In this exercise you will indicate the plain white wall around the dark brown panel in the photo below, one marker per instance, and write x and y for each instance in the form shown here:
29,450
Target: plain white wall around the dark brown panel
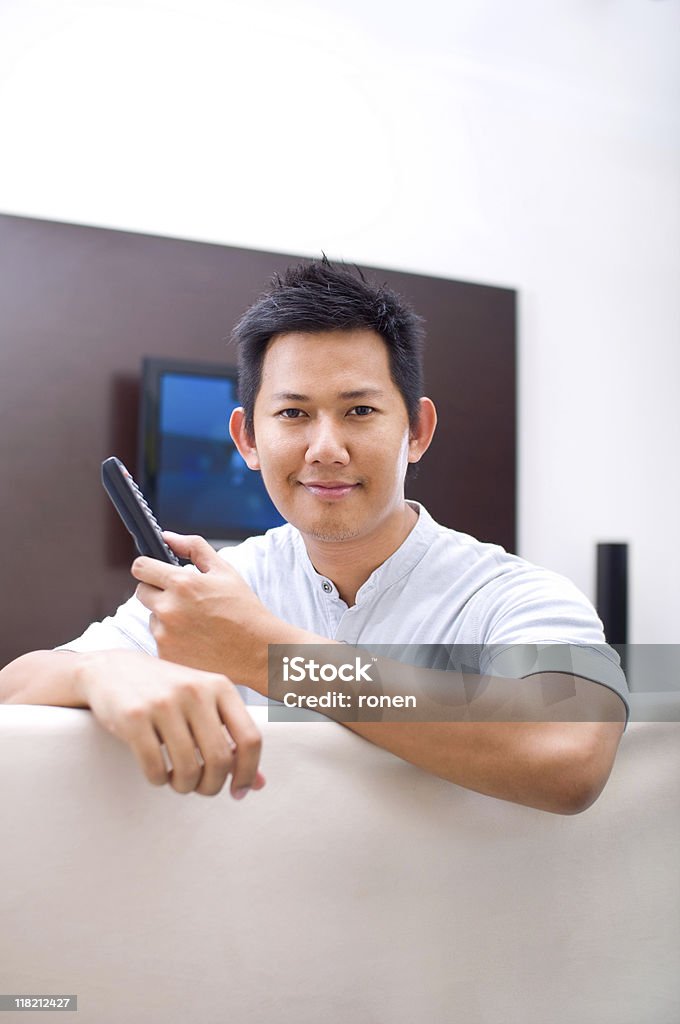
532,145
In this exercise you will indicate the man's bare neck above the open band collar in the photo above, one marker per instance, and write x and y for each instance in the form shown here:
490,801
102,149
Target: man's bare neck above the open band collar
350,564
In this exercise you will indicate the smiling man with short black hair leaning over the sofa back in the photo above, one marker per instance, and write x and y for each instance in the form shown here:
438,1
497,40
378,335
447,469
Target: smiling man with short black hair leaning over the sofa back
333,416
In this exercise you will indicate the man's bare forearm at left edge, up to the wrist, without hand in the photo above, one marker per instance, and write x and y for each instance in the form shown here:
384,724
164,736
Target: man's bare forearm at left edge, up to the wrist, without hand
45,677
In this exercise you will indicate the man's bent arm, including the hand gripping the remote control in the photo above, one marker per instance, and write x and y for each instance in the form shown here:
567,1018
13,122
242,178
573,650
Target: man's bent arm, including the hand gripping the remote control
214,621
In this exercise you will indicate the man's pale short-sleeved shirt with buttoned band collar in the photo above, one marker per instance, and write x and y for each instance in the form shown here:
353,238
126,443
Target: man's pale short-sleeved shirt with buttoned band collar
443,600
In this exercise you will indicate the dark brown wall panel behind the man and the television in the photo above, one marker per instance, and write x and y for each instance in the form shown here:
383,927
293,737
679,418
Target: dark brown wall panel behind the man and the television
79,308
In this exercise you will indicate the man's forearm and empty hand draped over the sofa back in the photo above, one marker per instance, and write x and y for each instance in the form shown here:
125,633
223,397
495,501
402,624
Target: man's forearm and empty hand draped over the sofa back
150,705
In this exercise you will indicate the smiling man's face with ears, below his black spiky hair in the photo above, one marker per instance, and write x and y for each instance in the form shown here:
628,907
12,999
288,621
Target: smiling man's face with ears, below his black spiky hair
332,436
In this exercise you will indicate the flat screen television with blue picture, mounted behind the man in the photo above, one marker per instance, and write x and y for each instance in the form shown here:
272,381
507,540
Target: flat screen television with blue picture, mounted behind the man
189,468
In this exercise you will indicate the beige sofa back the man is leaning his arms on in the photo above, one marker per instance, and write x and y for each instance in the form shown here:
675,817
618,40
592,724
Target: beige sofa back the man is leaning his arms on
354,888
